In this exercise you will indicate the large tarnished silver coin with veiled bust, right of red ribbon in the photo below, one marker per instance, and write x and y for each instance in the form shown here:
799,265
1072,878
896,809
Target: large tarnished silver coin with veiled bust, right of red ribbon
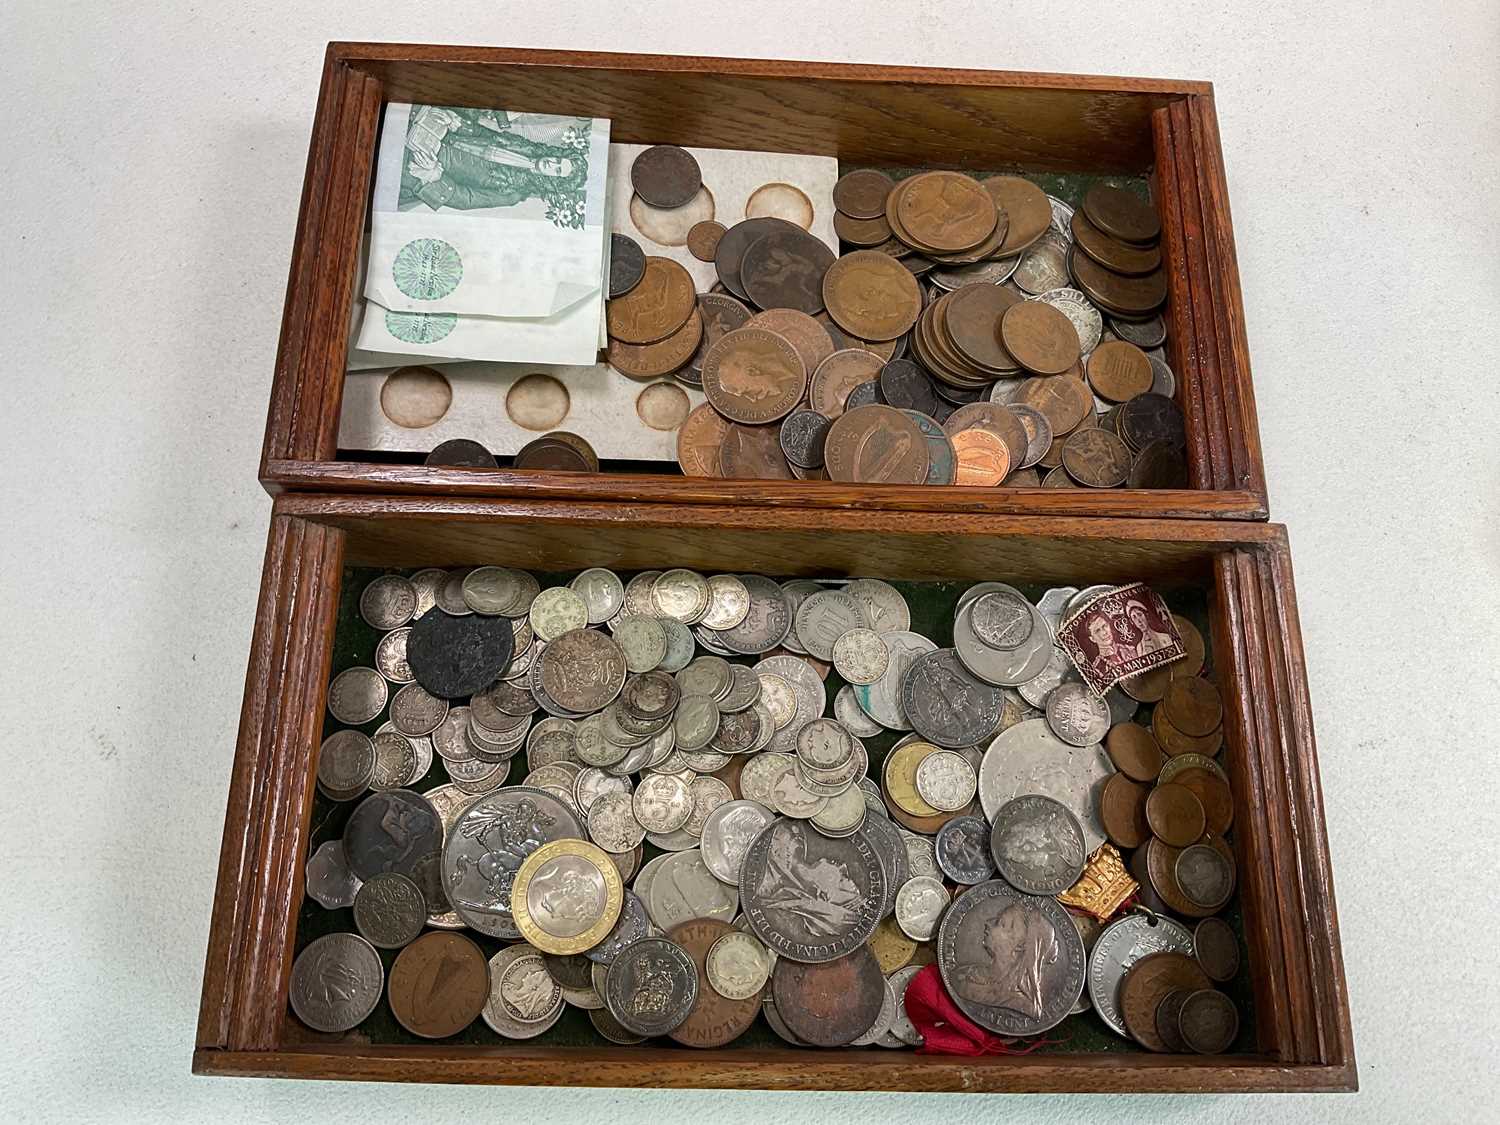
1012,962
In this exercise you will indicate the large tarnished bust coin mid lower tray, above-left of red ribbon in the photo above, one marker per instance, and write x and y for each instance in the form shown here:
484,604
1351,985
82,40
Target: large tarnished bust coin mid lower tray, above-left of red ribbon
808,896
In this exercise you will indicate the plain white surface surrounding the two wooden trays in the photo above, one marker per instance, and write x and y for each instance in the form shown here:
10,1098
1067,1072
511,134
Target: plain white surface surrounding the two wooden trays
155,160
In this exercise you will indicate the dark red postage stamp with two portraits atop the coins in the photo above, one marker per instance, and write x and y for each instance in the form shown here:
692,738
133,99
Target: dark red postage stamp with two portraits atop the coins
1121,634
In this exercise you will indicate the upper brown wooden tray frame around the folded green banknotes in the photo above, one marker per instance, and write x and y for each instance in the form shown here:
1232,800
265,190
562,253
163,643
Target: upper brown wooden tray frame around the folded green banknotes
985,121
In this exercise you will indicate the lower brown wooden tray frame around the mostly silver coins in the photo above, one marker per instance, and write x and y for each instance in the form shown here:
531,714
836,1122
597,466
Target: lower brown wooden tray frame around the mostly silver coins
1244,569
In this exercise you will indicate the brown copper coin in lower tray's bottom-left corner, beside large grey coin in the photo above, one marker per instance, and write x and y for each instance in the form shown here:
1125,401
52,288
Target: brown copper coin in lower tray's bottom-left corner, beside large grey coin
439,985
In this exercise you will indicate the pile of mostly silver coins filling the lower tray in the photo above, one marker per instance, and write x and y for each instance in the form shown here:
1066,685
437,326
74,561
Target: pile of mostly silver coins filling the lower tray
698,839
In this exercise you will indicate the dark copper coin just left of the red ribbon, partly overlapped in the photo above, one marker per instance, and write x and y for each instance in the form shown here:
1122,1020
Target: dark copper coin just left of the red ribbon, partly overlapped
833,1003
